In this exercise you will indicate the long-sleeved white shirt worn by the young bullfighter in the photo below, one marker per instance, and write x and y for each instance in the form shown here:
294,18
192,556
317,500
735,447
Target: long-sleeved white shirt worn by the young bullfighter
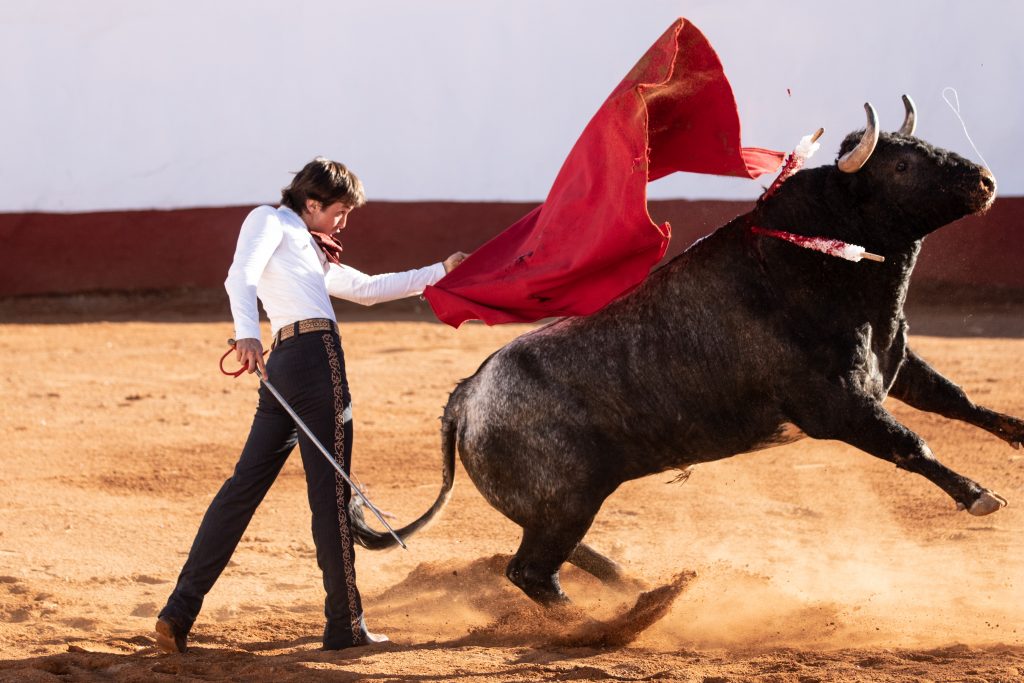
278,262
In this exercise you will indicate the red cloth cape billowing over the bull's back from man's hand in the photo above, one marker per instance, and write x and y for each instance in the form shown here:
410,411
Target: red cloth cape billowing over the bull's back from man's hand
592,240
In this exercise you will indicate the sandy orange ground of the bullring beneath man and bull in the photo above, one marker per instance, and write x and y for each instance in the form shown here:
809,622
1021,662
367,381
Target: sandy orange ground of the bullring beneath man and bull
815,562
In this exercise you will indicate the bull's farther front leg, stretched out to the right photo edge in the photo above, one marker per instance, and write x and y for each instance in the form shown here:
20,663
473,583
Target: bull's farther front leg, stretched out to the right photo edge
920,386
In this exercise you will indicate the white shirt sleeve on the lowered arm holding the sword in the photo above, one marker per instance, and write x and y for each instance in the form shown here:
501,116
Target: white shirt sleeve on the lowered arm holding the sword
261,235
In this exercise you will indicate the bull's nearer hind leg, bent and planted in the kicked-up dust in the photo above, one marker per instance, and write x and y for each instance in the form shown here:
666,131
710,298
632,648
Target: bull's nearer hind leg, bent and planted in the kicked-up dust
543,551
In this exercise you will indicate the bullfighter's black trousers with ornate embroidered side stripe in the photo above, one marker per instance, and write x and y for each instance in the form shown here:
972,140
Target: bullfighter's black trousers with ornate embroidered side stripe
309,370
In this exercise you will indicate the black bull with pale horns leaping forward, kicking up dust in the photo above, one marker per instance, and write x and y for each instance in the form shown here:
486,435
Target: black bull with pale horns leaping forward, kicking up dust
741,344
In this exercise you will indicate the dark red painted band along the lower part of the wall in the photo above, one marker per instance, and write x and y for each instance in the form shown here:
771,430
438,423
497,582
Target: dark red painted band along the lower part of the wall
47,253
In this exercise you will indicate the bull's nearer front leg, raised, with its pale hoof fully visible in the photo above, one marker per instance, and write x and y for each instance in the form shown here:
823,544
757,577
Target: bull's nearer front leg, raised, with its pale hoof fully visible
863,422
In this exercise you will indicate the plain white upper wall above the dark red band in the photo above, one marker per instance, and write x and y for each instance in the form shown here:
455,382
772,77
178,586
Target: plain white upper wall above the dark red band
129,104
